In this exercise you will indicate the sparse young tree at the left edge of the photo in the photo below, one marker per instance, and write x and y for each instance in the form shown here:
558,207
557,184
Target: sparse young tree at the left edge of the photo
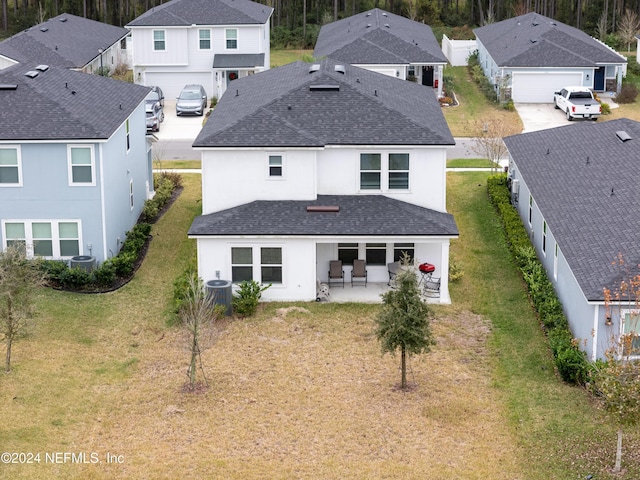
19,279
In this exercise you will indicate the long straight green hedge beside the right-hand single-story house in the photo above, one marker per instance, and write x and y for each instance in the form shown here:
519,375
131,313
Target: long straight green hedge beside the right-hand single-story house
570,360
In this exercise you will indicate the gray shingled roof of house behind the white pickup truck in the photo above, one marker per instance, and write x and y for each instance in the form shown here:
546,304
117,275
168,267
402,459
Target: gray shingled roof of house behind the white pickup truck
533,40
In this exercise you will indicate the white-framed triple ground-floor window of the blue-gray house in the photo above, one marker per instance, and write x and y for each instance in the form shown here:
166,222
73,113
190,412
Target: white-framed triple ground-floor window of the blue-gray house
44,238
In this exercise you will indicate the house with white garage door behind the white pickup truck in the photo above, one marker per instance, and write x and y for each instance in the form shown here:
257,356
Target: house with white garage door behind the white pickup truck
529,57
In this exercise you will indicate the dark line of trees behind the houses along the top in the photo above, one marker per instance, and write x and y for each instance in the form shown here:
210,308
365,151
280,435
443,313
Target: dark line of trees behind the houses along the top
295,23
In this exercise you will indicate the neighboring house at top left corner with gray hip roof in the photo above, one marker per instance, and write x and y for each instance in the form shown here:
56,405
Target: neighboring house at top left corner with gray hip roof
70,42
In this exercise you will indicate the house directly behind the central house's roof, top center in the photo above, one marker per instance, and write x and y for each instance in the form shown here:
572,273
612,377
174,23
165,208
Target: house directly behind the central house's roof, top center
385,43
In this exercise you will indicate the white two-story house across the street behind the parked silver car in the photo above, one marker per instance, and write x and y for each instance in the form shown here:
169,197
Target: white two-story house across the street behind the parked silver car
206,42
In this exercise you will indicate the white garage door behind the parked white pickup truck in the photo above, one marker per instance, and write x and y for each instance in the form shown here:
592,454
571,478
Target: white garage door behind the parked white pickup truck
538,87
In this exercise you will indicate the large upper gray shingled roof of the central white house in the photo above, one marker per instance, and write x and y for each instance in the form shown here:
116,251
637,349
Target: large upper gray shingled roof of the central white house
279,108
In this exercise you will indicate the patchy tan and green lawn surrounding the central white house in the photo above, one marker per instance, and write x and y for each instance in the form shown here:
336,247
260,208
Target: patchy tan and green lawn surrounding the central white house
301,390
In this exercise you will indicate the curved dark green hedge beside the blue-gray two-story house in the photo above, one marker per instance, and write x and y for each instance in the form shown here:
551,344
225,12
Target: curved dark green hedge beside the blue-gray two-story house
118,270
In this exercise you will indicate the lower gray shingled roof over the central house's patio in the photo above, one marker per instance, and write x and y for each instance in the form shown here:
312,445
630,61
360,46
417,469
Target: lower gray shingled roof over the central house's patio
362,215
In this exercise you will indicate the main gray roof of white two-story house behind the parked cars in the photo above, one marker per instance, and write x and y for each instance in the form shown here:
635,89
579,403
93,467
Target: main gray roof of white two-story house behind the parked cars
204,12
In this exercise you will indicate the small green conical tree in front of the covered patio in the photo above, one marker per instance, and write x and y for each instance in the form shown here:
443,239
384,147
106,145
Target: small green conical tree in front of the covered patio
403,322
